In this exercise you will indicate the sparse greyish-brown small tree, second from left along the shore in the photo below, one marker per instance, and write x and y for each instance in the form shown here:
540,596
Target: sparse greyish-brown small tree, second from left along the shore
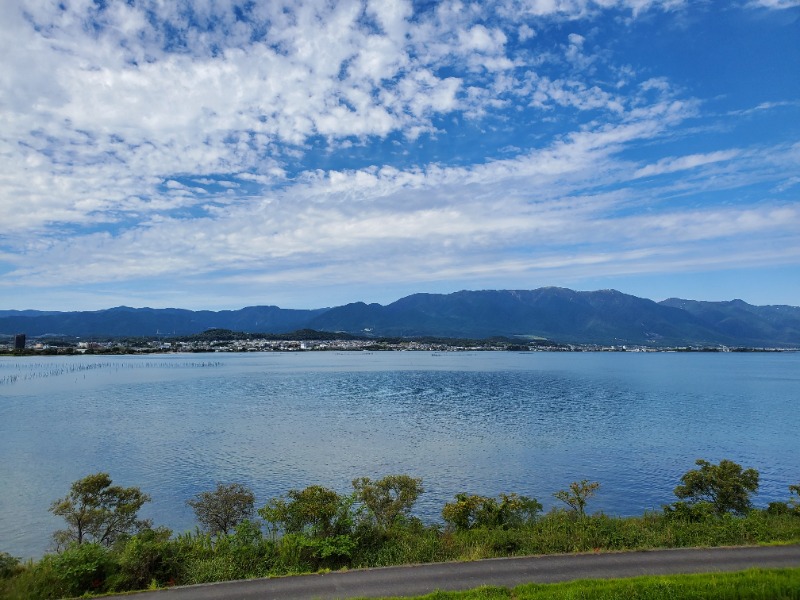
221,510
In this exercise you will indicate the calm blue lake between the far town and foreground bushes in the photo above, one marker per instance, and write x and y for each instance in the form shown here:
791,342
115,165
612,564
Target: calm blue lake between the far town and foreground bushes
480,422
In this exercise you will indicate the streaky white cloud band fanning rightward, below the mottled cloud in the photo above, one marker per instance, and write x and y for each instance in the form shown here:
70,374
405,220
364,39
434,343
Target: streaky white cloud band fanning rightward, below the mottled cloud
467,216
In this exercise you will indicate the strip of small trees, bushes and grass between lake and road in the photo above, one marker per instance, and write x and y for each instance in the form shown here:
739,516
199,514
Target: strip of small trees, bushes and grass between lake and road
106,548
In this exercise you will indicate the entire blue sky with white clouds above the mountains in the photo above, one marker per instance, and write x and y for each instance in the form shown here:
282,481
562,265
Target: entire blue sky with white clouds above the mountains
217,154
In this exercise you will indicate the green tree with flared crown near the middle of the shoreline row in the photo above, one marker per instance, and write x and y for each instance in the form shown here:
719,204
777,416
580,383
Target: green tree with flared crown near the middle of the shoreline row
389,498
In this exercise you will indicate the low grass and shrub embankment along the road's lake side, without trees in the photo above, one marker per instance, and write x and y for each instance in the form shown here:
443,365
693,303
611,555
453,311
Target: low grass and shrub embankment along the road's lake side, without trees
155,558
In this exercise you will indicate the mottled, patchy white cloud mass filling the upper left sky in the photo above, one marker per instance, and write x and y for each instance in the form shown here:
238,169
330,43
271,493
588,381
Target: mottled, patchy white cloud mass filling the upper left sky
104,117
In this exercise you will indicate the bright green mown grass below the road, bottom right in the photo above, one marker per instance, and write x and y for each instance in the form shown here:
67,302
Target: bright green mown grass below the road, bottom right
753,584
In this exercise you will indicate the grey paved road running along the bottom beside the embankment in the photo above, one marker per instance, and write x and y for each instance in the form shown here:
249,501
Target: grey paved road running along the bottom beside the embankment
423,579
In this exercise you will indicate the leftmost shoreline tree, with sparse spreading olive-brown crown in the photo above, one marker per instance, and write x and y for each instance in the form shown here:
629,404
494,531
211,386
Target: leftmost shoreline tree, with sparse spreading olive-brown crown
96,511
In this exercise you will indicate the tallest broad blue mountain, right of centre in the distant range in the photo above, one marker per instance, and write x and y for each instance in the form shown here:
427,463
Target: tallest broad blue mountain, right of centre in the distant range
603,317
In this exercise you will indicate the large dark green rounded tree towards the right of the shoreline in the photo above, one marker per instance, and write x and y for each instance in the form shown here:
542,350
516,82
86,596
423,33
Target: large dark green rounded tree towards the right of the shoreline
725,486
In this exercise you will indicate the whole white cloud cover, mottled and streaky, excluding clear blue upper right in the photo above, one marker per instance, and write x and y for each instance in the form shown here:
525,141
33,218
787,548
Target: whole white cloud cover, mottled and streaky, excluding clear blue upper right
168,139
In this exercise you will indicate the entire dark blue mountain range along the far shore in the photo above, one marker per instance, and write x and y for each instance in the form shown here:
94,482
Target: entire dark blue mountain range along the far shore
601,317
